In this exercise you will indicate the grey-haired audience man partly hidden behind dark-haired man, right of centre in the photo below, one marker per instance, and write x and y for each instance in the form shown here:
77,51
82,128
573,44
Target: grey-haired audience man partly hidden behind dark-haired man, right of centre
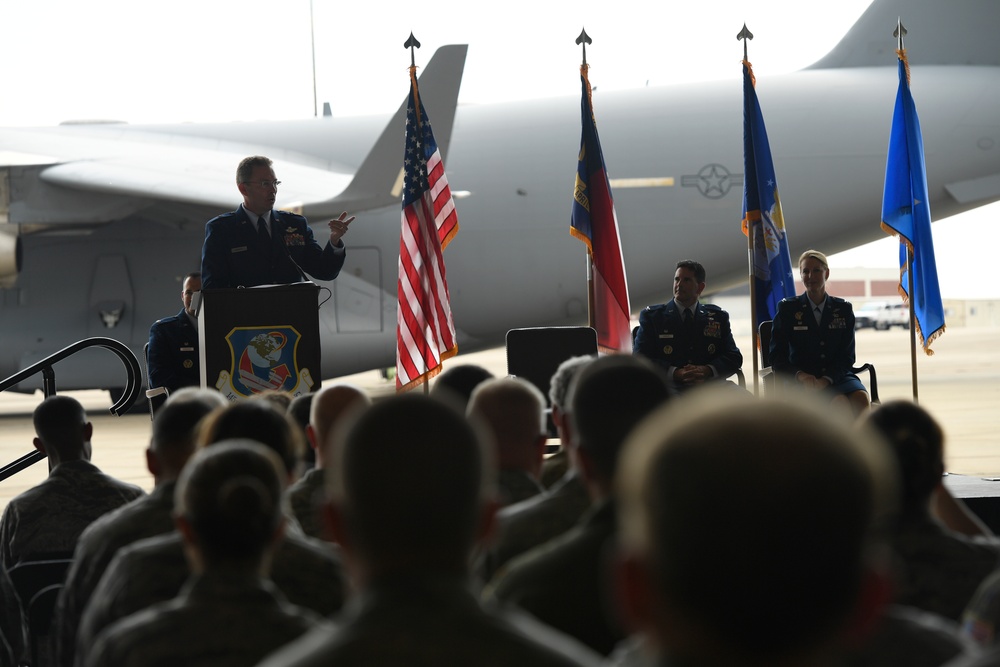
536,520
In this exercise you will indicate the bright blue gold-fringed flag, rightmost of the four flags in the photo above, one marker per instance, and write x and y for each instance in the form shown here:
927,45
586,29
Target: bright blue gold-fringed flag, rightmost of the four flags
906,212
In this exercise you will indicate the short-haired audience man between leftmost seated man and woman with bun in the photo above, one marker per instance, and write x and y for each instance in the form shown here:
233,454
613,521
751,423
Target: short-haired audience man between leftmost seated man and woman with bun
171,444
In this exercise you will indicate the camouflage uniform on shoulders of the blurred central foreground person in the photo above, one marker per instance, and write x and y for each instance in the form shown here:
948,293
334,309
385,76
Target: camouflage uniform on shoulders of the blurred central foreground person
428,621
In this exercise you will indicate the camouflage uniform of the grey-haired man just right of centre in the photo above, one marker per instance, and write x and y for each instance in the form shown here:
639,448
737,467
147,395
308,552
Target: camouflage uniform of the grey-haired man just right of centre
535,521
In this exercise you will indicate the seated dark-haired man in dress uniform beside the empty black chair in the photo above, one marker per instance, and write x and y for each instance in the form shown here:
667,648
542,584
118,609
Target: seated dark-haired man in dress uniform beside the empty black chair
692,341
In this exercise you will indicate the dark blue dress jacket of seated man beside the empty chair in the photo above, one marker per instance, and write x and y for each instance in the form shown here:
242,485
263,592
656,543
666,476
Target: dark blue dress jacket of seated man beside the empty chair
663,338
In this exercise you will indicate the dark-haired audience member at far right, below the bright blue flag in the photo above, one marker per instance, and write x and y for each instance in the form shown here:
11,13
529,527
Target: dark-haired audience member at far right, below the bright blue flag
940,568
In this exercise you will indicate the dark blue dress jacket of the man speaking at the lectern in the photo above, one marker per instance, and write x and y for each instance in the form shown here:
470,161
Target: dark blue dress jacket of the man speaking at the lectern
234,256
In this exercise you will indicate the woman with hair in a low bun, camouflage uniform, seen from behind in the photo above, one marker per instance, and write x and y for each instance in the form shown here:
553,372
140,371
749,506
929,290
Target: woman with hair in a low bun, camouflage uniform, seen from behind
228,511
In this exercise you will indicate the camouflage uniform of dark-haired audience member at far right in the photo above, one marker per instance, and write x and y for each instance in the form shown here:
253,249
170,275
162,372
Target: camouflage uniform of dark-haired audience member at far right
940,570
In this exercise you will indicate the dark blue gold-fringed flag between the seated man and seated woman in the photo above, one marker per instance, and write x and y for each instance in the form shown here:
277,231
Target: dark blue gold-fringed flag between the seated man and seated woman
772,264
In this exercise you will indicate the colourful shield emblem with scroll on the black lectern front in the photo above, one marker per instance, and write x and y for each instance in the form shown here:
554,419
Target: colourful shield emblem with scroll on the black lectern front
263,359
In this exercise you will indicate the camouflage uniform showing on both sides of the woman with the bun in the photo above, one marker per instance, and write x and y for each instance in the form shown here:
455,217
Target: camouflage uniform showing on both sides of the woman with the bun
306,571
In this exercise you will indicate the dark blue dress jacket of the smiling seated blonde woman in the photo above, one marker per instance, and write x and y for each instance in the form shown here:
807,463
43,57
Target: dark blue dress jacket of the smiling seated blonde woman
826,349
